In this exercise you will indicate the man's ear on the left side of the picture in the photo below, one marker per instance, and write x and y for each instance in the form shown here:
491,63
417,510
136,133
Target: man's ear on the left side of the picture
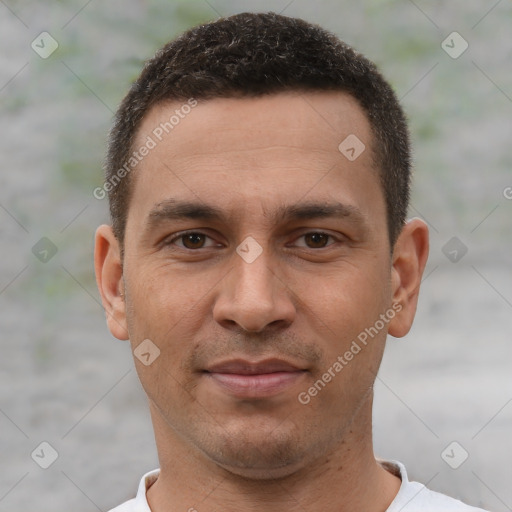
109,278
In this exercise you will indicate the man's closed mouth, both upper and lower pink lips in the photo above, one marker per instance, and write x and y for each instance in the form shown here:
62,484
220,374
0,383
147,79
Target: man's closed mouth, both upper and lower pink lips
246,379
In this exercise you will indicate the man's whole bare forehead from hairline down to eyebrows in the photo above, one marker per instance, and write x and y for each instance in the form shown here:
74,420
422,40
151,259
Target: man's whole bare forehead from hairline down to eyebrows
236,152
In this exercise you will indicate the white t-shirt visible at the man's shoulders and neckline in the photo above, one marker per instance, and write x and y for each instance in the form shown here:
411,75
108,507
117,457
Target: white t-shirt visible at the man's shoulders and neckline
412,496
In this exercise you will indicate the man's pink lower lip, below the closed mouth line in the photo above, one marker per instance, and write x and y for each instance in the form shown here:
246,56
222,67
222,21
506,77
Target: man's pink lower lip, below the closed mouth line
256,386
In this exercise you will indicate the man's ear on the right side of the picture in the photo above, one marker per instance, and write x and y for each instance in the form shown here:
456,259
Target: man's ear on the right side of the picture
409,259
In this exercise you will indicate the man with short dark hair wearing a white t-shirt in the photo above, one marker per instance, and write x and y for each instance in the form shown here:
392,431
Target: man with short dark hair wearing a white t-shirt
258,175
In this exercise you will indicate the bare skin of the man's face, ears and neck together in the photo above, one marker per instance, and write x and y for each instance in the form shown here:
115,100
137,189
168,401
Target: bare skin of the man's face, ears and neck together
319,282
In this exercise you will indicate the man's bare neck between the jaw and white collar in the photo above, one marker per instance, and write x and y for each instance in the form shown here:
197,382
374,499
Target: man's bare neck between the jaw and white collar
343,479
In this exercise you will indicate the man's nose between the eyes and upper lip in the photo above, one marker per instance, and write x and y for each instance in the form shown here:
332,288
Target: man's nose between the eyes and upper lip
253,296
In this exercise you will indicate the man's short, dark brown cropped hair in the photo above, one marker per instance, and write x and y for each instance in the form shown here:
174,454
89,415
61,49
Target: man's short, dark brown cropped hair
253,54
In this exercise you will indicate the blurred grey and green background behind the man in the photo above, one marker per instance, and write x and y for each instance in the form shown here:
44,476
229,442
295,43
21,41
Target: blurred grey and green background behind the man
443,401
